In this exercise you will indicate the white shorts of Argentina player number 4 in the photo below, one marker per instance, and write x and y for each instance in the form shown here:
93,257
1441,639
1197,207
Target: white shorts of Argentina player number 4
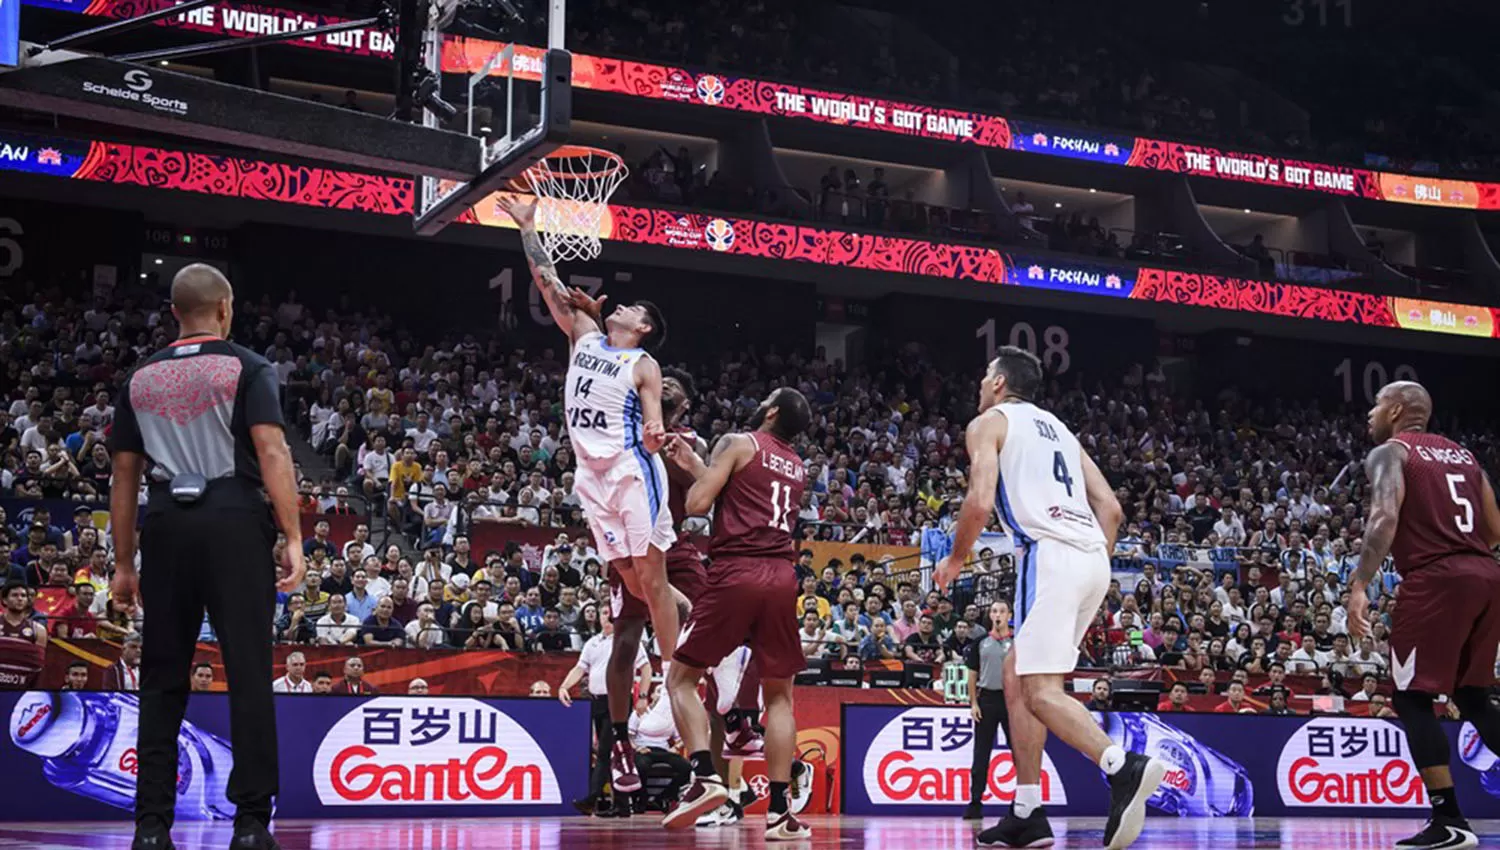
1058,593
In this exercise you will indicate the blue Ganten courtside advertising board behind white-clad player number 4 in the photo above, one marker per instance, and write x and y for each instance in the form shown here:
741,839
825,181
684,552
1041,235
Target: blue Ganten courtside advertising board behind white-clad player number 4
917,761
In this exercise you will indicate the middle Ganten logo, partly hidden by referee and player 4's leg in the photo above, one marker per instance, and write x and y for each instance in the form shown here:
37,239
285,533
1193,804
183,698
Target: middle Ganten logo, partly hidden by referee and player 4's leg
923,756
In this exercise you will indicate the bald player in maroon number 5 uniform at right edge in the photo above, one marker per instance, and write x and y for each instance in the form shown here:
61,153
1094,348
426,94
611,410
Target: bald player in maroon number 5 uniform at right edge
1433,510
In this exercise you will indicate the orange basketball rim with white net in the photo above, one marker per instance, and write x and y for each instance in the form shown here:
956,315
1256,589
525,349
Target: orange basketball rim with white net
574,185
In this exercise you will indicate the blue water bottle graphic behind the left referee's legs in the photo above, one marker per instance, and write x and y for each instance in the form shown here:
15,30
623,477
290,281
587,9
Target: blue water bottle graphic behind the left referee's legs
88,747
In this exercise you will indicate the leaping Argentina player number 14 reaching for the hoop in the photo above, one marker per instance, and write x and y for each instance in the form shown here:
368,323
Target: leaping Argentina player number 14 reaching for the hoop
613,410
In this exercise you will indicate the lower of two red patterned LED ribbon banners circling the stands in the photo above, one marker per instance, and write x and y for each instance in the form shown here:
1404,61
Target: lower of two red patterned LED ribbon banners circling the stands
308,187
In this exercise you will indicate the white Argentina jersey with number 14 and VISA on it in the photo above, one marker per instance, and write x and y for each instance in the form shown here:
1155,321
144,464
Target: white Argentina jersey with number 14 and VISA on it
601,404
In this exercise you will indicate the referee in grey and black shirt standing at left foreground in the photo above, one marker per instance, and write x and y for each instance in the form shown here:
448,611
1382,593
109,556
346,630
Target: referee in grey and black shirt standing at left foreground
203,422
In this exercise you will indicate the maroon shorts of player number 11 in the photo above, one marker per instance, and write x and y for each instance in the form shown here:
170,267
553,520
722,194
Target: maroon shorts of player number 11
751,600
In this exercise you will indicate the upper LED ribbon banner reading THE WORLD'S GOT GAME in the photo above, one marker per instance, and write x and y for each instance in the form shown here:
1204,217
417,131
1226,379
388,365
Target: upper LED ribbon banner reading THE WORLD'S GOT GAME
841,109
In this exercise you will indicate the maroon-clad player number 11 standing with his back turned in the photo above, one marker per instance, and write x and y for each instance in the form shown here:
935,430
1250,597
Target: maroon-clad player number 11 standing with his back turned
755,483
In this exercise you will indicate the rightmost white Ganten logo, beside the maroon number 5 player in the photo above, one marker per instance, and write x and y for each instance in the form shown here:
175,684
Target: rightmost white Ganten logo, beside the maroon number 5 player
1348,762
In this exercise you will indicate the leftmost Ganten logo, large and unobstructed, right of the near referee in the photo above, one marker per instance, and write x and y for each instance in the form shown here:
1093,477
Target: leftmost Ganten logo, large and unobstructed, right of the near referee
421,752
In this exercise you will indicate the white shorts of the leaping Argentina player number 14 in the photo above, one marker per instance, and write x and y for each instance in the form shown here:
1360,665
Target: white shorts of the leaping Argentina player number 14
626,506
